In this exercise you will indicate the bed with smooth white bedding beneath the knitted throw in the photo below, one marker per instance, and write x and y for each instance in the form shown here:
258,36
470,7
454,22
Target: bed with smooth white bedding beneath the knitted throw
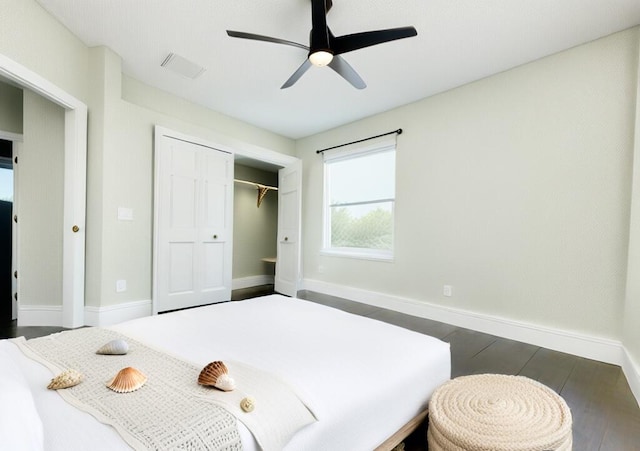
363,381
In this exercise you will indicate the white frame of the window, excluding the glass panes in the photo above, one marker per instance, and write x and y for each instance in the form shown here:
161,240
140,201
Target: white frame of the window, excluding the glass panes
355,252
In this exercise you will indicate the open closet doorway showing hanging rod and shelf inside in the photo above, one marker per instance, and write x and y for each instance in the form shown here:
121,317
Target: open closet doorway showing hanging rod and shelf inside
255,228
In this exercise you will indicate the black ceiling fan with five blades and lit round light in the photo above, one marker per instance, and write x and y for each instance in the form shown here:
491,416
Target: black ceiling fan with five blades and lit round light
325,49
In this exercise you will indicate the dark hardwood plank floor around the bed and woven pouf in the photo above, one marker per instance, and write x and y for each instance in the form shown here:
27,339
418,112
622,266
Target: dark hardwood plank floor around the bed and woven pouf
606,416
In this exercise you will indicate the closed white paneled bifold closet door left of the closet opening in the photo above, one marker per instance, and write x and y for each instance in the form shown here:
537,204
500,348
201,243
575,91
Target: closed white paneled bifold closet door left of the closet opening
195,224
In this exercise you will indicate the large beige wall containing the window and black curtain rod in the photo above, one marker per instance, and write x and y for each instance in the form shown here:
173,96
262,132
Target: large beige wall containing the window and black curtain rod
515,190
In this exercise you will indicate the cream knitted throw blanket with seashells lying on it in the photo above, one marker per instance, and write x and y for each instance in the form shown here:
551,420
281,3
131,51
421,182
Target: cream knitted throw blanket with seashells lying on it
171,411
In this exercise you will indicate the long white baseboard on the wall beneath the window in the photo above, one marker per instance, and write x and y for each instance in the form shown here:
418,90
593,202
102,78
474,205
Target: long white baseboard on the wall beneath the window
596,348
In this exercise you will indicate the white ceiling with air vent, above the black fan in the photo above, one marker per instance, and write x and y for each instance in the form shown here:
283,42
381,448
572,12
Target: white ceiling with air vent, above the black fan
458,41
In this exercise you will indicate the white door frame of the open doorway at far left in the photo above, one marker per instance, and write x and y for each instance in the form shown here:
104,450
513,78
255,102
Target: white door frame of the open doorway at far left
75,193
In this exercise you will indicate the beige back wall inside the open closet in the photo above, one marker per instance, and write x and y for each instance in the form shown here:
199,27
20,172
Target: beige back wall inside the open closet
254,229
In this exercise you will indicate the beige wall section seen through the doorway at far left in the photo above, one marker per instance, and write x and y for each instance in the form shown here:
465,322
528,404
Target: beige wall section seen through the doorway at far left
40,202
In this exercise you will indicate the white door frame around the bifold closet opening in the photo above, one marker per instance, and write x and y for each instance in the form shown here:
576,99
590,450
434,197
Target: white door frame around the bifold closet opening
236,148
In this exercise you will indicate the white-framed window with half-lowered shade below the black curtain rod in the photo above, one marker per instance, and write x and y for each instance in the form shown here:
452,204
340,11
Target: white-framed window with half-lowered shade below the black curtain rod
359,202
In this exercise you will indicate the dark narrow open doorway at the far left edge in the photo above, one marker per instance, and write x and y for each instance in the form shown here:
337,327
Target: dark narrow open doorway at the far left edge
7,309
